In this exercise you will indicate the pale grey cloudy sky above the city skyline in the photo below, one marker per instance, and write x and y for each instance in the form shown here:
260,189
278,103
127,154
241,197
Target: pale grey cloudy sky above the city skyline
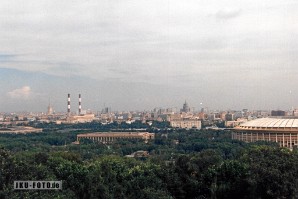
142,54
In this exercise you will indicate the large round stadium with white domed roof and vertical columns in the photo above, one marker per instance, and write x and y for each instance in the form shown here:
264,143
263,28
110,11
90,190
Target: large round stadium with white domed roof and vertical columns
281,130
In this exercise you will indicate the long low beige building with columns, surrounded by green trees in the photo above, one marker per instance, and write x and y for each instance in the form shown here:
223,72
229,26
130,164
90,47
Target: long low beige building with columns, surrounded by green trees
110,137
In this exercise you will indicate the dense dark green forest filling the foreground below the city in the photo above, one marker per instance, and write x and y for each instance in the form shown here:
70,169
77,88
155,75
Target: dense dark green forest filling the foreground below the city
181,164
